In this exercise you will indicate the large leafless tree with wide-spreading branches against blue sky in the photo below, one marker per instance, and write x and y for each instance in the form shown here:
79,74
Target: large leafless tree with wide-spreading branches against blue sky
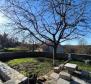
51,20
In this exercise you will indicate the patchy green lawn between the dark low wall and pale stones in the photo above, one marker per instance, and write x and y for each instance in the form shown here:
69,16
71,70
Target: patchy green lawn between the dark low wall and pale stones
39,65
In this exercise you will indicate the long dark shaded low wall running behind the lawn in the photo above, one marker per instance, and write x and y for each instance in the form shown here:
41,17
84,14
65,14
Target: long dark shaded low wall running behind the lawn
4,56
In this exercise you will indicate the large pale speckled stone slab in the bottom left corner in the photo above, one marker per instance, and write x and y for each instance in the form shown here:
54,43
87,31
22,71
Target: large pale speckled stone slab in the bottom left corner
10,75
